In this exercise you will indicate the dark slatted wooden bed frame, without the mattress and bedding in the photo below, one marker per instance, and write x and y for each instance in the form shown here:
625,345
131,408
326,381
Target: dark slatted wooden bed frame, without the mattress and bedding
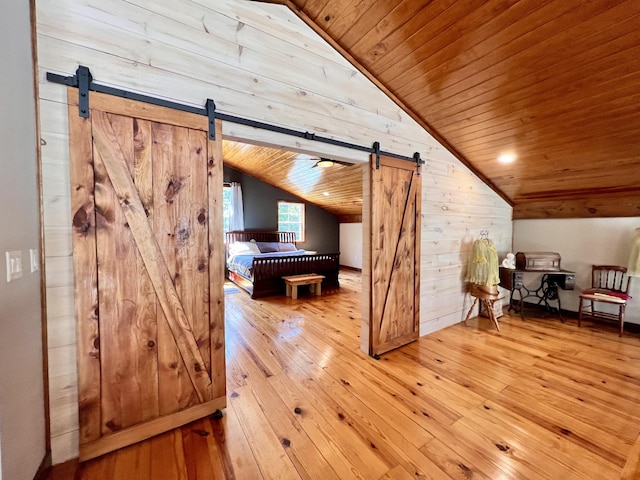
267,273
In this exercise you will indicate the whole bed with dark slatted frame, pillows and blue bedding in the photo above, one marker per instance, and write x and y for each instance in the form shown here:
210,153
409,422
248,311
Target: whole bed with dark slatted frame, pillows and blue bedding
257,261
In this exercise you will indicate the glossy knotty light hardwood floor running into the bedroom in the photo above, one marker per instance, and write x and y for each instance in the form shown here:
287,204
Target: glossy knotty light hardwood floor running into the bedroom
539,400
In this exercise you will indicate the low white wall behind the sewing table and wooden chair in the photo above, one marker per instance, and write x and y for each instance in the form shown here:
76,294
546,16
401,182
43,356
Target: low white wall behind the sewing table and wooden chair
581,243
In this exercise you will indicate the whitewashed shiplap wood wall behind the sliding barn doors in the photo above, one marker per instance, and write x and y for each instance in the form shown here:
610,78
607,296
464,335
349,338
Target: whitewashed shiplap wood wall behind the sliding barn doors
257,61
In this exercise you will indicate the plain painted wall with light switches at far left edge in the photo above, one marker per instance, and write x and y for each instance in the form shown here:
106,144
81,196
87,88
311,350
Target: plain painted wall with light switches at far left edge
22,429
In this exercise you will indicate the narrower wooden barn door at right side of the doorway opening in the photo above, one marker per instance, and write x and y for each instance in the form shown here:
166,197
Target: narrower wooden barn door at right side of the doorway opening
394,316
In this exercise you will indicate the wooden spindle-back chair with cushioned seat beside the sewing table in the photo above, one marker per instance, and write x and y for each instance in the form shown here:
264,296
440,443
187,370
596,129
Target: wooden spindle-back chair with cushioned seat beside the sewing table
610,286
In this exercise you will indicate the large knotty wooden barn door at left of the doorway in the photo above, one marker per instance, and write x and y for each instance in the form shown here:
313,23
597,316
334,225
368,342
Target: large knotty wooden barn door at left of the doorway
149,273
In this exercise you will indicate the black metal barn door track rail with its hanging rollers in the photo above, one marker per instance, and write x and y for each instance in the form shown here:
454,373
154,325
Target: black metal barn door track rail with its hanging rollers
83,81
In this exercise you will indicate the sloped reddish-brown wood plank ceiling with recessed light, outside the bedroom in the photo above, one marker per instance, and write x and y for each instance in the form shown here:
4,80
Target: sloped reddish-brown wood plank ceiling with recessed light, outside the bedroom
554,83
